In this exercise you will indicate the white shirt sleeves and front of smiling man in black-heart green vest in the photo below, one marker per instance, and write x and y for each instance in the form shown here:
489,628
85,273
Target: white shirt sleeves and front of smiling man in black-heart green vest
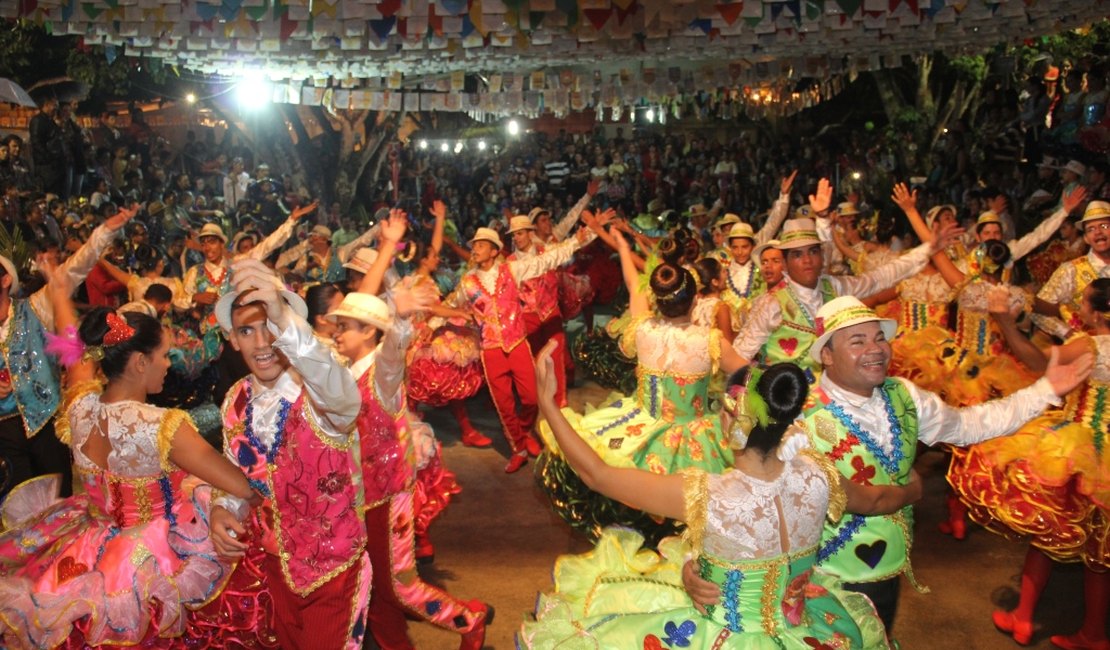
937,422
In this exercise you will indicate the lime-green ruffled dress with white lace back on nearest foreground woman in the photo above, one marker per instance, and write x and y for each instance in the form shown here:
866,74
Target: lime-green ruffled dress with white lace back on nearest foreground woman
624,597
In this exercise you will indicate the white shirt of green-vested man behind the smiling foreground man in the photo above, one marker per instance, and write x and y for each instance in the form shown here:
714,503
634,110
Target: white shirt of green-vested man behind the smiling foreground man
766,316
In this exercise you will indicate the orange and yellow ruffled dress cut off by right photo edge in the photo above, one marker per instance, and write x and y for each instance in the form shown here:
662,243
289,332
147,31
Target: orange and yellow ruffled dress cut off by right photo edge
1050,483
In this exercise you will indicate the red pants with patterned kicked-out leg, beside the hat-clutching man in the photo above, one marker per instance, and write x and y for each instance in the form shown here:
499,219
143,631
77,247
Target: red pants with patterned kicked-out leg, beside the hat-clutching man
398,588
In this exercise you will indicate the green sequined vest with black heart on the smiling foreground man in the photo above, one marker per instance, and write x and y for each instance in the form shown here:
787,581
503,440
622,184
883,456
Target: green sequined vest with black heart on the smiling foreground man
859,549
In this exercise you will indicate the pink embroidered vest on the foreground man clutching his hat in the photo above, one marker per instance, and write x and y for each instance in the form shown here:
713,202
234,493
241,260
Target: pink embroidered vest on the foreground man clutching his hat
312,516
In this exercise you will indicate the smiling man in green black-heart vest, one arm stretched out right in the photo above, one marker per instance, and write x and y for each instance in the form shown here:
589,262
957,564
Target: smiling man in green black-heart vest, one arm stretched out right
870,425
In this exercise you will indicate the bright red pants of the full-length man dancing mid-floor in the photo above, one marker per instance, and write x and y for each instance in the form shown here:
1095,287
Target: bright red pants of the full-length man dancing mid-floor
504,371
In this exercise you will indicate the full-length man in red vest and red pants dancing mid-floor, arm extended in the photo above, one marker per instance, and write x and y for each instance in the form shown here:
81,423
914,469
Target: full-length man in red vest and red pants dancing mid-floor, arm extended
491,290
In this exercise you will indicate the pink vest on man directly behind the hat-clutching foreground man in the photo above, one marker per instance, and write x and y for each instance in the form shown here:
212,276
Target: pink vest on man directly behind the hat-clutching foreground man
384,441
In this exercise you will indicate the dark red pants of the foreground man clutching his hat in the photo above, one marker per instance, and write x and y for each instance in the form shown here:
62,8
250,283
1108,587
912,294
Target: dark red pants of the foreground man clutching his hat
330,618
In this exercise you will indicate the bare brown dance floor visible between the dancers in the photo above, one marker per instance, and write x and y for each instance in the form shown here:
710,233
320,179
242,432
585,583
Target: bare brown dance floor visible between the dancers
499,539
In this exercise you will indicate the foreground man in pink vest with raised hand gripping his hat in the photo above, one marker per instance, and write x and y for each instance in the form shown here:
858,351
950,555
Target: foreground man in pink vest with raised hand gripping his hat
290,428
